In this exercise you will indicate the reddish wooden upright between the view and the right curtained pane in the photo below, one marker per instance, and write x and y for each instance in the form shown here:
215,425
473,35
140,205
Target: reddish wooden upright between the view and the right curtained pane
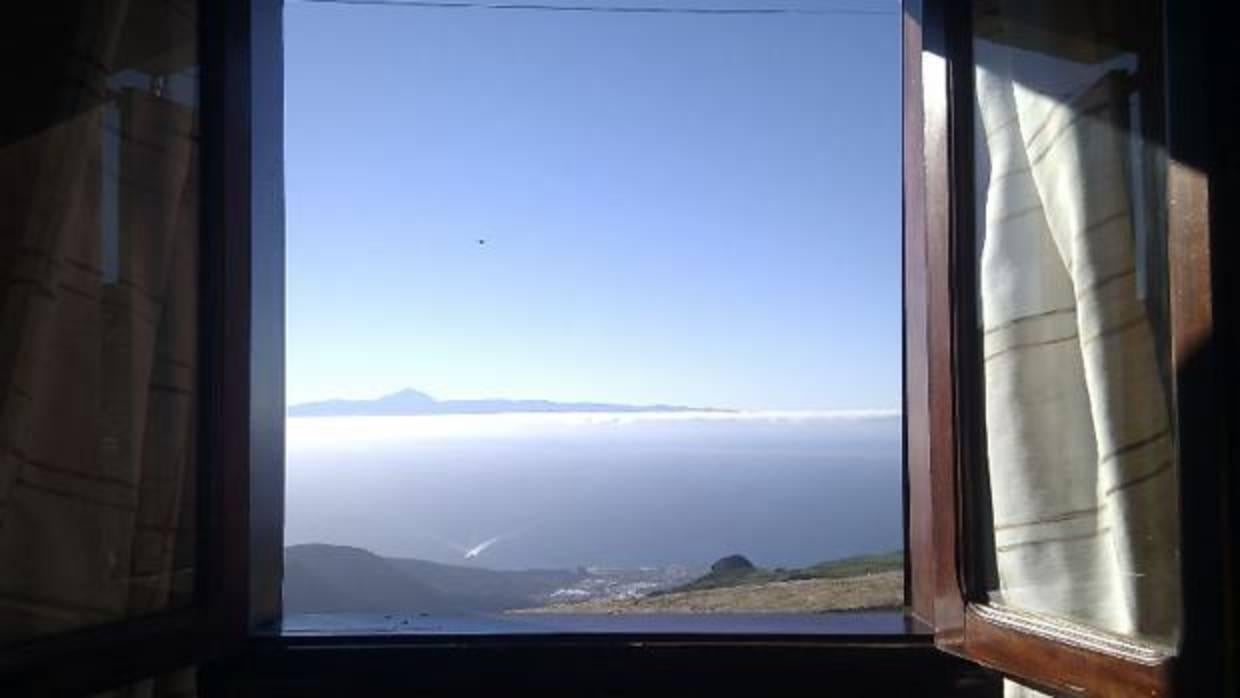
933,470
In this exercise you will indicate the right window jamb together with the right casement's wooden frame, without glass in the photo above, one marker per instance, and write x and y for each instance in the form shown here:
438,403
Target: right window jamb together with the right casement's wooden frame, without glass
945,461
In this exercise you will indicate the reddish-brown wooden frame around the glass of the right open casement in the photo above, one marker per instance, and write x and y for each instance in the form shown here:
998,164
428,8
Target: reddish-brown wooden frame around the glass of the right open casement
1201,156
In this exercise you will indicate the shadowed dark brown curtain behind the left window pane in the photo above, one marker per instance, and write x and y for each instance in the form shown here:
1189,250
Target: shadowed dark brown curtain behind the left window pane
99,332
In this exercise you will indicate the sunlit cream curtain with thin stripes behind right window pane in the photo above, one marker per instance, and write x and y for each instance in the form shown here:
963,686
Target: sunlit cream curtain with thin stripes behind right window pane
1079,435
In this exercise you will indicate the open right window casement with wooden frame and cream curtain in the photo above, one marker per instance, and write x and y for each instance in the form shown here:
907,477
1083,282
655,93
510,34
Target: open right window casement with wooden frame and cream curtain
1065,370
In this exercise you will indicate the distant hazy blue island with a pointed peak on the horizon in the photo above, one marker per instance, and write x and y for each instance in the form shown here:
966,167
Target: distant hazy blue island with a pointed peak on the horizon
411,402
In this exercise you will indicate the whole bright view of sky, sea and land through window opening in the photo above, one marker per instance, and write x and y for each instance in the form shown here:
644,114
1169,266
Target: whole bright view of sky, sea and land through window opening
616,325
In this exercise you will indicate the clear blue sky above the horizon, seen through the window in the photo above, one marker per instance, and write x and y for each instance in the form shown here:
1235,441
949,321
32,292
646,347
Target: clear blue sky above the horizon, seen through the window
679,209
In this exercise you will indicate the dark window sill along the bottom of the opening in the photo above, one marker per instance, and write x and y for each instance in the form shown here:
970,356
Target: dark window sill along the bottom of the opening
846,654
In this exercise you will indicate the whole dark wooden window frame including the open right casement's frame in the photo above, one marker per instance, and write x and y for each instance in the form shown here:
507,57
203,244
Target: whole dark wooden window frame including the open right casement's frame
240,575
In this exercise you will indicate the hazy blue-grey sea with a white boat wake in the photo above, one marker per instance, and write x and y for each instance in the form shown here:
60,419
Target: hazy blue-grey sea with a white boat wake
600,490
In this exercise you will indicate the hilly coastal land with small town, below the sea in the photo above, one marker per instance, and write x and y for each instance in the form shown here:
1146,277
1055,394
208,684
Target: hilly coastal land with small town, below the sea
324,580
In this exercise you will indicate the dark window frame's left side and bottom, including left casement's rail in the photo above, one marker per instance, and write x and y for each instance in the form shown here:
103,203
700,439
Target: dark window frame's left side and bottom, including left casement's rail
228,633
